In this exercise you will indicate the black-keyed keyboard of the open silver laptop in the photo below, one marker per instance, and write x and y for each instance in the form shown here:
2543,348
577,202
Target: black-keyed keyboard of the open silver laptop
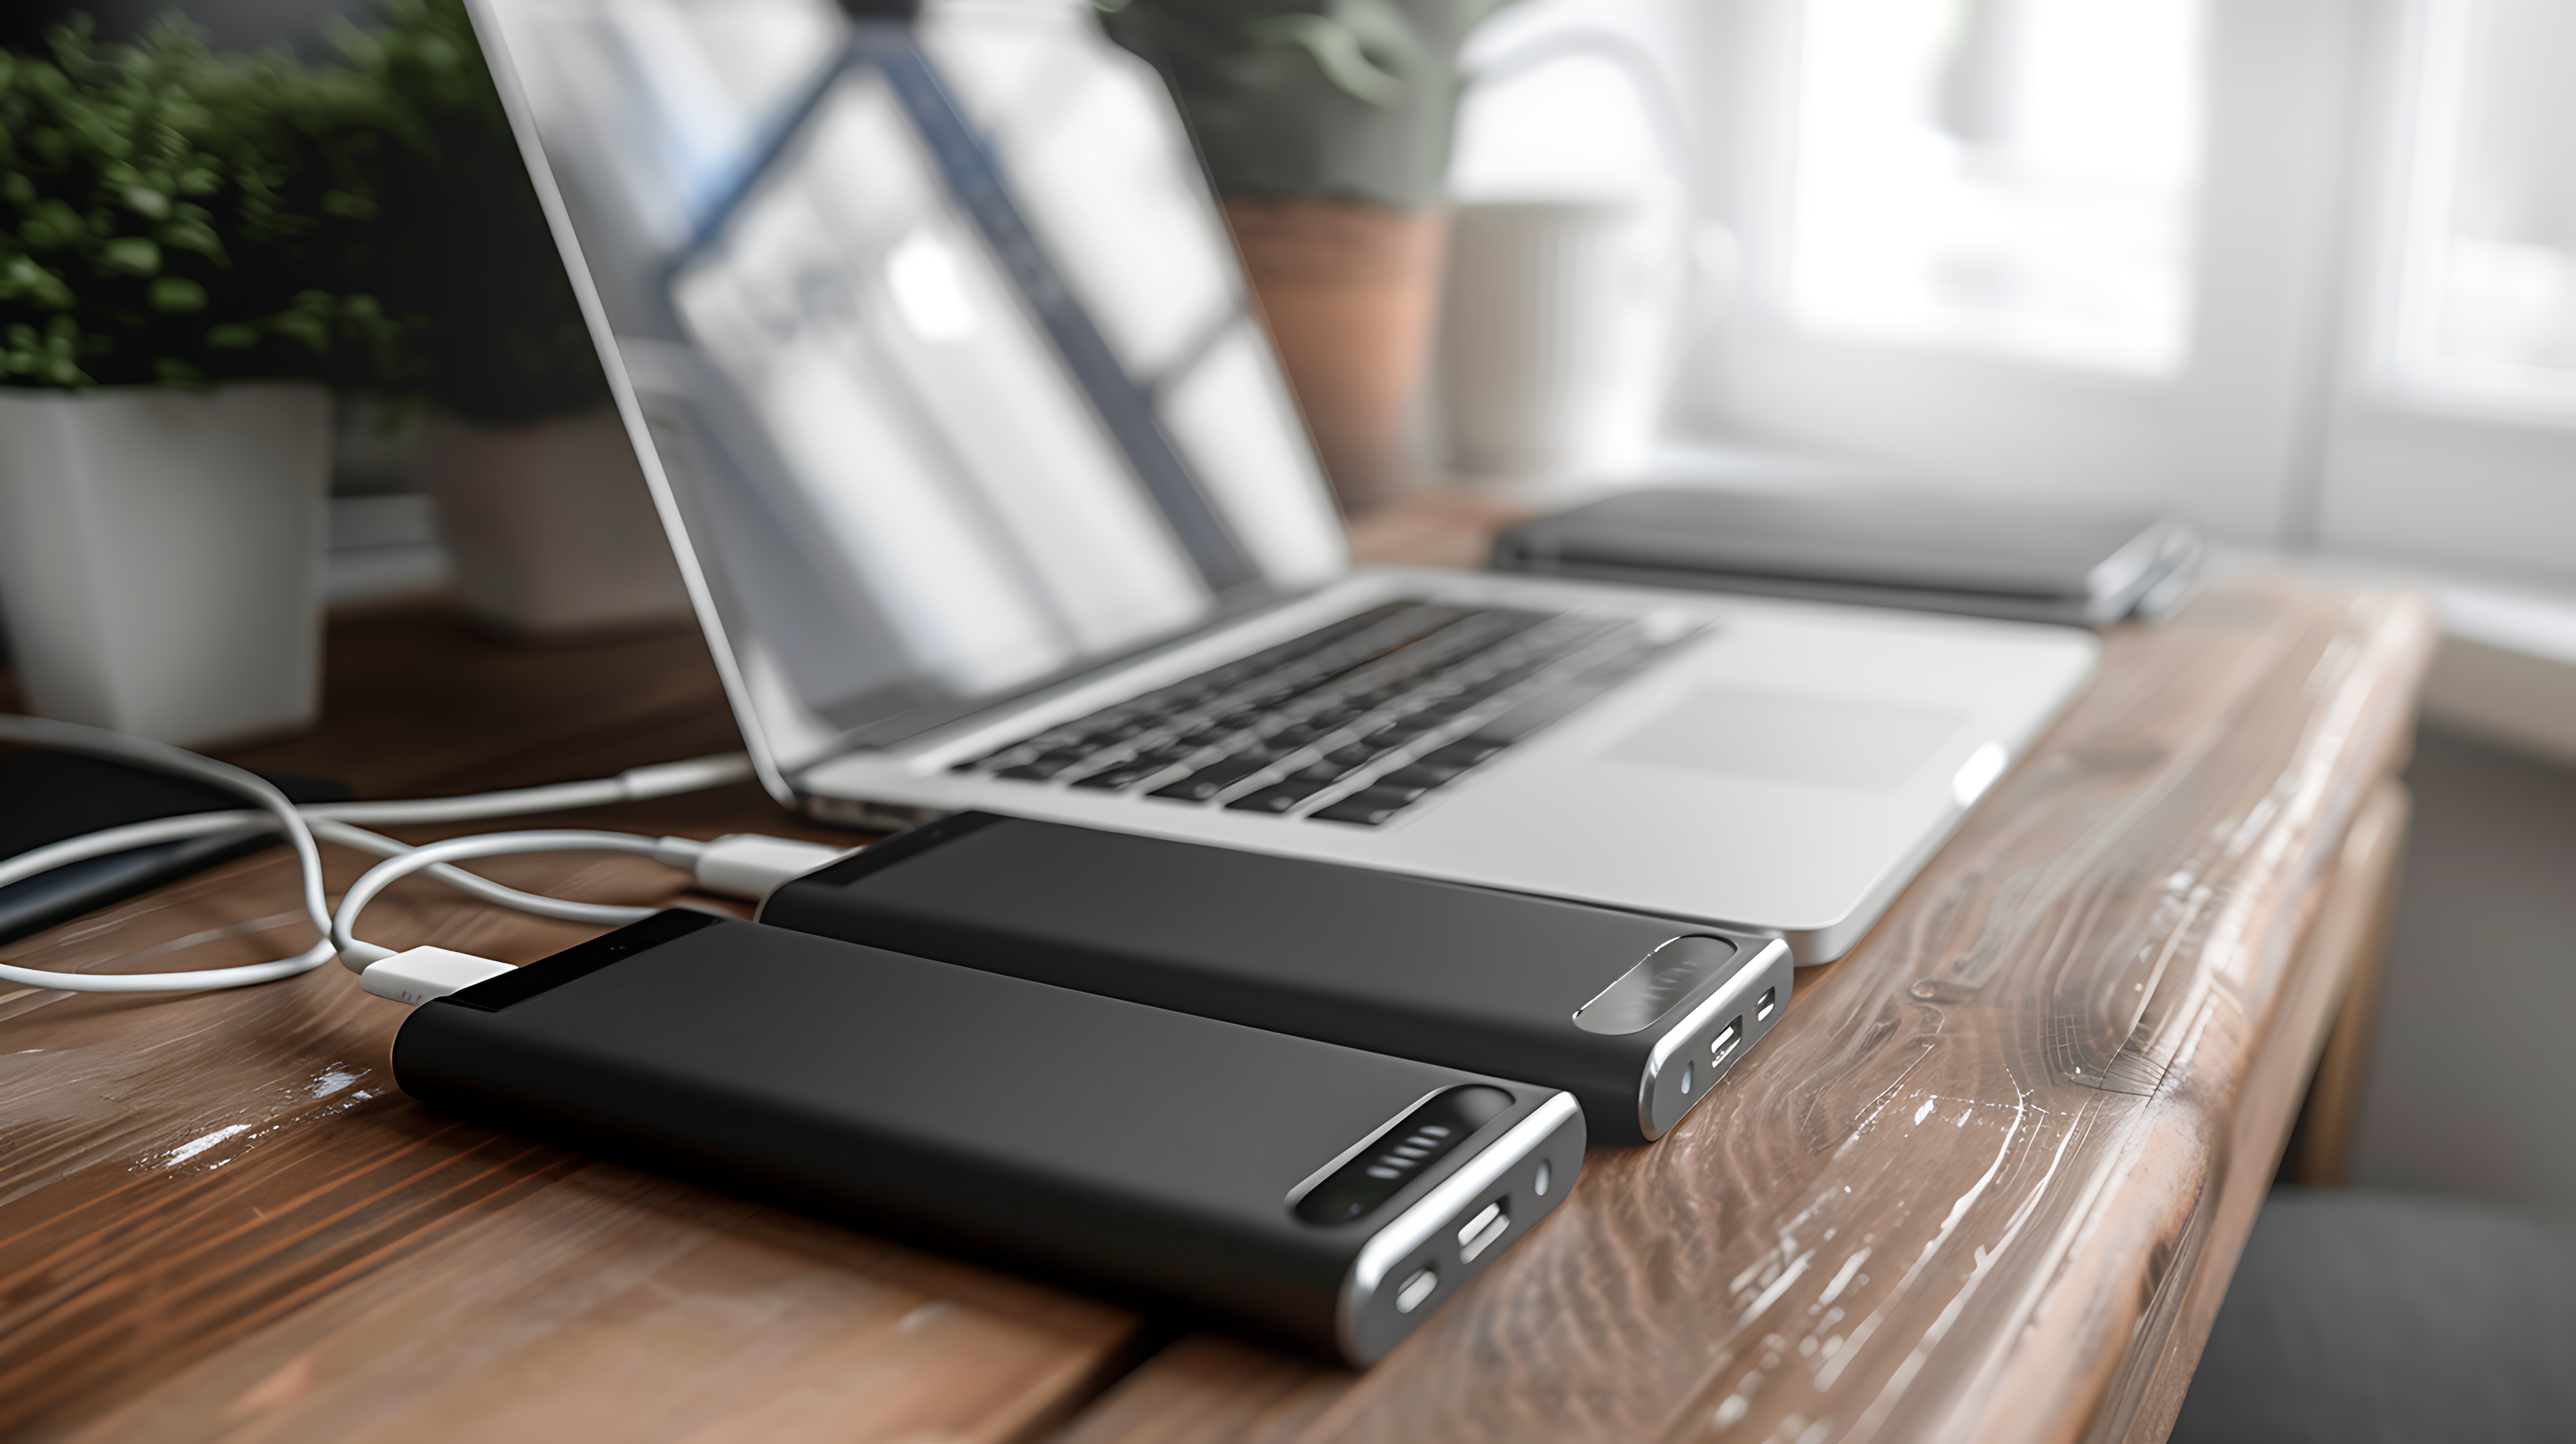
1349,723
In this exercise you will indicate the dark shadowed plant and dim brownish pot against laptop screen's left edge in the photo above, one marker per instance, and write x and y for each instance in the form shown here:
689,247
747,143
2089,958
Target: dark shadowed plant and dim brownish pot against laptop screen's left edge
537,486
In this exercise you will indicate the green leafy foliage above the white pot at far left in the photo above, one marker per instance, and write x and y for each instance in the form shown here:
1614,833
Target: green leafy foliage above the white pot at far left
182,218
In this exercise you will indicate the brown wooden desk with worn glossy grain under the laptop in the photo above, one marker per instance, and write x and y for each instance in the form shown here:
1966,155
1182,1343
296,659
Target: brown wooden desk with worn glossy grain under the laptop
1987,1182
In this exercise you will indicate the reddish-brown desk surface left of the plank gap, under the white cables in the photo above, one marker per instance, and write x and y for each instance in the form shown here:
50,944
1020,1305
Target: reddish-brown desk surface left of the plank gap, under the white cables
218,1221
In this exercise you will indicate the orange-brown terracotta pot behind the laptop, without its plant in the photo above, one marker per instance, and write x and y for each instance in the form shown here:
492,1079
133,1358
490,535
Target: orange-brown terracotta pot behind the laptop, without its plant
1351,295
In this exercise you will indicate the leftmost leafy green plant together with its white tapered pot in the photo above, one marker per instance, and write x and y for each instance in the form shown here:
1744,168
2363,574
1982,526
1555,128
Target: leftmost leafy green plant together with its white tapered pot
174,241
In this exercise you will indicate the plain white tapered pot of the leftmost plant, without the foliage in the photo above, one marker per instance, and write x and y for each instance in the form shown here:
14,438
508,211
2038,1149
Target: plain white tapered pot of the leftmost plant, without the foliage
161,556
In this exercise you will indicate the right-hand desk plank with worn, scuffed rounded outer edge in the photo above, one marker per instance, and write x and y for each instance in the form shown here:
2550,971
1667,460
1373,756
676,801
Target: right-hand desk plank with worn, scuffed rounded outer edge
1964,1185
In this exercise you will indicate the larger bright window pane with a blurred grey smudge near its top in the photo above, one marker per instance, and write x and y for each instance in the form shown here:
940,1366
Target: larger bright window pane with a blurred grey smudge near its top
2000,177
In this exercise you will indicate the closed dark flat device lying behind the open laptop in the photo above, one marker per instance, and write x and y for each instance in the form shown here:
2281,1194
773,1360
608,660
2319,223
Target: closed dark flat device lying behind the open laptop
1874,551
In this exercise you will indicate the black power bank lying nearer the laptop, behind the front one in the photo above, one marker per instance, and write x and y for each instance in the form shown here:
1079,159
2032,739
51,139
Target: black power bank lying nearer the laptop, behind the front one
1632,1015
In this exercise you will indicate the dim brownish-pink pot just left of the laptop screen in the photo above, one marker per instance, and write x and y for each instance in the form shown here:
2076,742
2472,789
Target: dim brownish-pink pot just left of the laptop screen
550,525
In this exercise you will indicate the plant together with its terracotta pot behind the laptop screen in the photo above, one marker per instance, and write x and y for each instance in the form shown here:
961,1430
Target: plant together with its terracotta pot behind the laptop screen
1325,128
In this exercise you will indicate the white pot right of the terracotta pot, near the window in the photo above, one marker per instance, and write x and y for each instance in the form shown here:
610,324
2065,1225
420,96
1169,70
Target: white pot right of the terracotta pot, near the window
1557,334
